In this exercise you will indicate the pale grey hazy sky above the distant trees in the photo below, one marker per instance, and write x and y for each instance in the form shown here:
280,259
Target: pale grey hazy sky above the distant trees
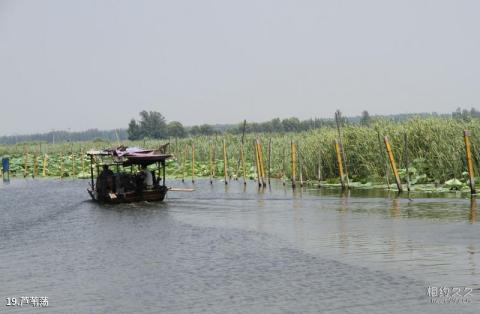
96,64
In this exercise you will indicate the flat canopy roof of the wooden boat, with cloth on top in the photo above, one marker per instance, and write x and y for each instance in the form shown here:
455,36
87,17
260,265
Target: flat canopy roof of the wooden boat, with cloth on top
132,155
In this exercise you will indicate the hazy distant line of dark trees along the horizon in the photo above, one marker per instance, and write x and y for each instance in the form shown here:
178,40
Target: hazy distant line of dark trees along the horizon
153,124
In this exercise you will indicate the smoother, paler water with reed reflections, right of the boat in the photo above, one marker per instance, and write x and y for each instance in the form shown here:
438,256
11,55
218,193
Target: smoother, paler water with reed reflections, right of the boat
419,235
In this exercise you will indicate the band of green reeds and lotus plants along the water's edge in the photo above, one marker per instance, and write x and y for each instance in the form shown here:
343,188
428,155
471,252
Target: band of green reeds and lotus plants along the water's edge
431,148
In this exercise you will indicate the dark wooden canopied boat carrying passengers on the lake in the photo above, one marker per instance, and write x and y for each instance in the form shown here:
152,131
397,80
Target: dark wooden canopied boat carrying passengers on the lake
127,185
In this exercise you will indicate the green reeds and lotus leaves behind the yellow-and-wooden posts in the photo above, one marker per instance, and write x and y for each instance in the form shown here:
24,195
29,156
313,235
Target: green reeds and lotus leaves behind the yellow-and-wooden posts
435,148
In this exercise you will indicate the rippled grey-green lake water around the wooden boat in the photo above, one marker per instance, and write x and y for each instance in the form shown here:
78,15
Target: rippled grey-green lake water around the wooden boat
231,249
